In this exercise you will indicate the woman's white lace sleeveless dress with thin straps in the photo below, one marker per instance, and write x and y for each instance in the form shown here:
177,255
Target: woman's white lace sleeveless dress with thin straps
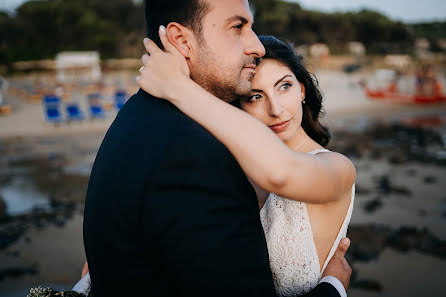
293,257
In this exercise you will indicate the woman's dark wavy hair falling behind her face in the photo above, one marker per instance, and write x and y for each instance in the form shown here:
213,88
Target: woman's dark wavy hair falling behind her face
312,109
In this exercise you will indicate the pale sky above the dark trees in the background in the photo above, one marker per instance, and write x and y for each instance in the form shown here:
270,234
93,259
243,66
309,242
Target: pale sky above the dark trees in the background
408,11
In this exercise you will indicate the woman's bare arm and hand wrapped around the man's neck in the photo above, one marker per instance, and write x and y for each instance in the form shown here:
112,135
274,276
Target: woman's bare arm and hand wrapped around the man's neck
264,158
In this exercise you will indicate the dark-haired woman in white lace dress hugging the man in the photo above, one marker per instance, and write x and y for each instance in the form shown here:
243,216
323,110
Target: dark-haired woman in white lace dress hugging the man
278,140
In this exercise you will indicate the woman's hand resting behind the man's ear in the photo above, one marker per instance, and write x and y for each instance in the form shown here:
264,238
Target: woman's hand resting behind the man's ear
164,73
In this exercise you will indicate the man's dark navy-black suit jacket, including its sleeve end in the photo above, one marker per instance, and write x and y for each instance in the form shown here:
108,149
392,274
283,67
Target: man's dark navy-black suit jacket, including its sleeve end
169,212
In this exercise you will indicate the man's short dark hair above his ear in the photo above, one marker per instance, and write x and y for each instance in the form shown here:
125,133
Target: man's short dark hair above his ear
188,13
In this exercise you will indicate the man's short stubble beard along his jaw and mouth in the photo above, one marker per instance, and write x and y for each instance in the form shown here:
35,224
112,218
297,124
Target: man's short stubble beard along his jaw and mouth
226,84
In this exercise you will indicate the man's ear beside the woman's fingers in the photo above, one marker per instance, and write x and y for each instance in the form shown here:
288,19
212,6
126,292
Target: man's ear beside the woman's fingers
181,37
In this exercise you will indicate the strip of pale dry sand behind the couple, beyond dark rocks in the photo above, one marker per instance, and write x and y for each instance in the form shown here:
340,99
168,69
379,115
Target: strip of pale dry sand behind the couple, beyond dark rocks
343,96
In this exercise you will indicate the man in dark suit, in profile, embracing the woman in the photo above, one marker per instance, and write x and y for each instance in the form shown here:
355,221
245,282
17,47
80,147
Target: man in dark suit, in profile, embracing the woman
169,212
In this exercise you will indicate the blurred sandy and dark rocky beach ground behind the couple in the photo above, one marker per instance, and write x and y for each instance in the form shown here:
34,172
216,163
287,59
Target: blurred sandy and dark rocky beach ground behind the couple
398,228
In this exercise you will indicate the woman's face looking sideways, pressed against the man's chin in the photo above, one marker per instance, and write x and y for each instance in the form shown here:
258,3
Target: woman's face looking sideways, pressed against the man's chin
276,99
